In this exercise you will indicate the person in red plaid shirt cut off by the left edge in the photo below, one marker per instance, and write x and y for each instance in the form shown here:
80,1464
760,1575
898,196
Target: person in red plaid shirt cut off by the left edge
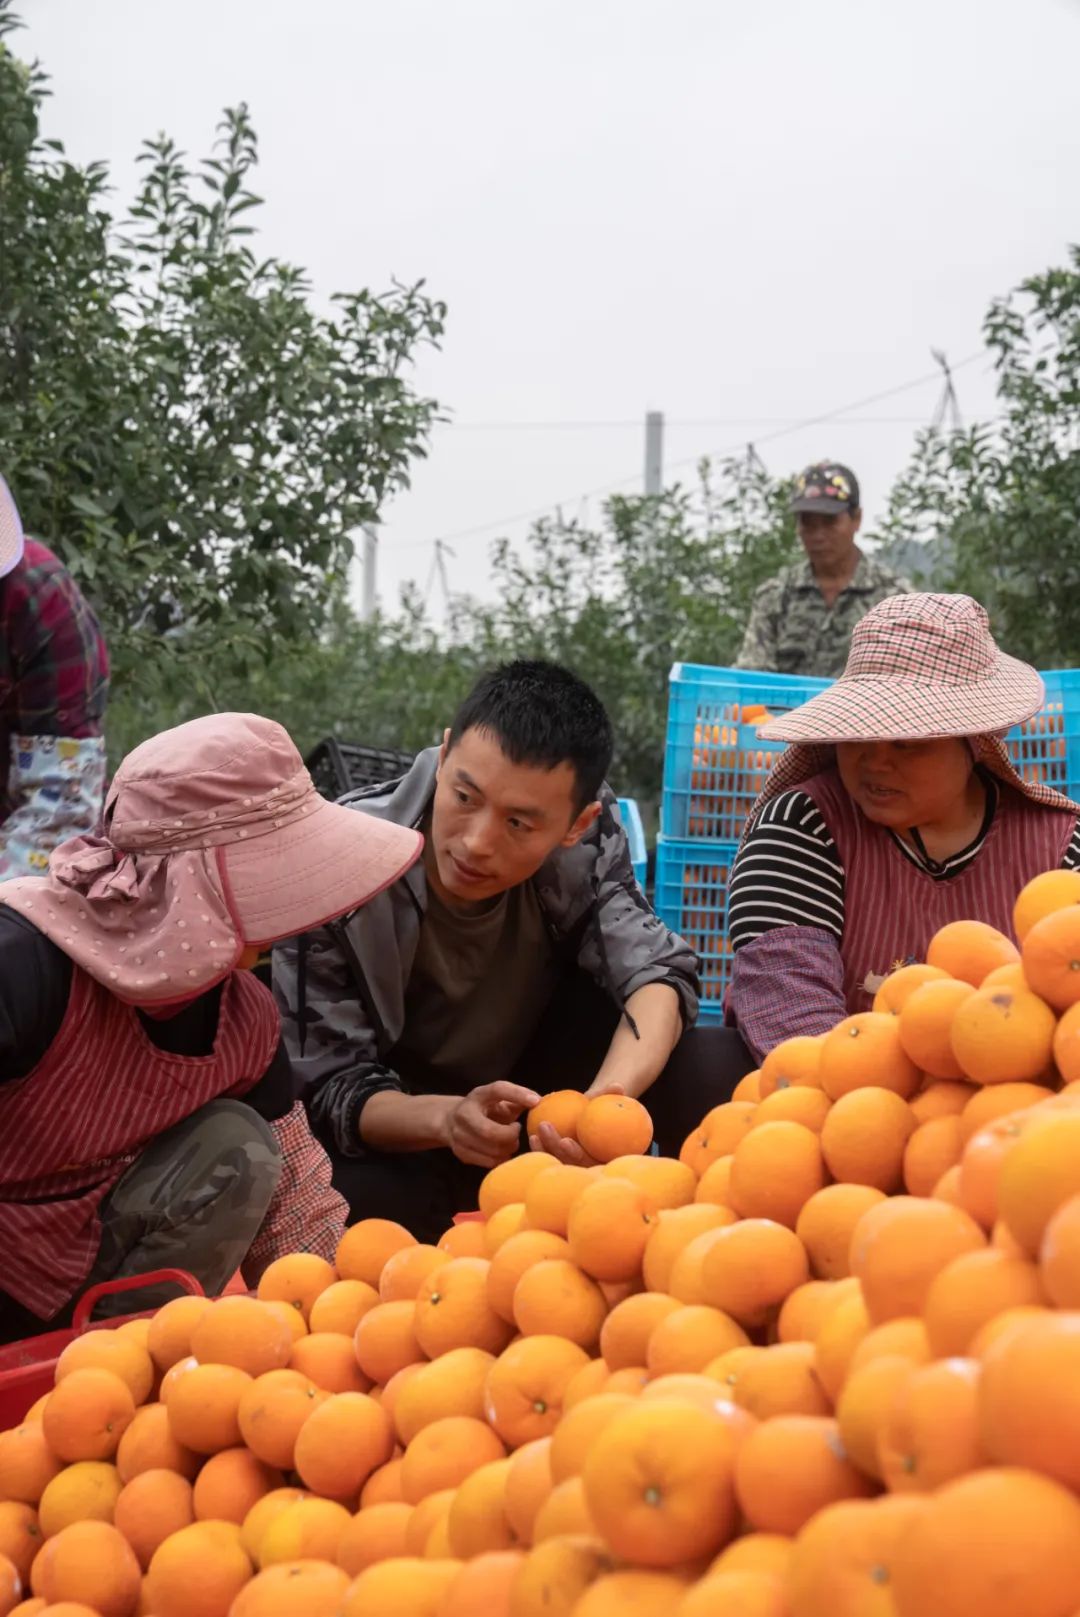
54,685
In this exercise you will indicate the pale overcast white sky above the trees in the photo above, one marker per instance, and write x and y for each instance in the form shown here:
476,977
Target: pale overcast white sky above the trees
743,214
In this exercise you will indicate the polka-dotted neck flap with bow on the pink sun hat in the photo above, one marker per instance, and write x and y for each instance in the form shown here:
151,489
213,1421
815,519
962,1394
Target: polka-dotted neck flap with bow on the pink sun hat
154,929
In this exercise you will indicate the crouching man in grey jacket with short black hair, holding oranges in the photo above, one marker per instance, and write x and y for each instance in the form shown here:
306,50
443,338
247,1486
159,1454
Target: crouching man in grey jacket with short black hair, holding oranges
410,1020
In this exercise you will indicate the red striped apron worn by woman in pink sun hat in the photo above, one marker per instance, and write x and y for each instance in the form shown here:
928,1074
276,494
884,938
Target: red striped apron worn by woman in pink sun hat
98,1097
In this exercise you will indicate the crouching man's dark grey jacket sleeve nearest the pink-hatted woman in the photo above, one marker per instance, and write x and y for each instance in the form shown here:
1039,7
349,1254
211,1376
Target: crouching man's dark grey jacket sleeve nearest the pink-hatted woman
329,1037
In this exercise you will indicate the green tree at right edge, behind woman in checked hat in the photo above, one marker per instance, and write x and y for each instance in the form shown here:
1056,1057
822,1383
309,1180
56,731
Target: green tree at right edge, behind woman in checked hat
1002,502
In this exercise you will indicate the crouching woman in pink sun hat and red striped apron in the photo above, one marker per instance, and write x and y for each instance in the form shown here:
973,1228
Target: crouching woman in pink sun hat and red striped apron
148,1108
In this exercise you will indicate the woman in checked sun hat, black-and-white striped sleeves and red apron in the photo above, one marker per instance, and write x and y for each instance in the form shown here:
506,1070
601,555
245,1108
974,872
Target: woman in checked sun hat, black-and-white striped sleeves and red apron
895,811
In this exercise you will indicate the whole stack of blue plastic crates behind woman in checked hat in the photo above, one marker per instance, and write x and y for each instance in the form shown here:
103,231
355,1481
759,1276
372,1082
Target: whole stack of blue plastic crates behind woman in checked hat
715,766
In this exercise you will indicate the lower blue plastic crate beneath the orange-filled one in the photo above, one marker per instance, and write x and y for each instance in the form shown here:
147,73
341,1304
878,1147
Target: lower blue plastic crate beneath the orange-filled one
693,900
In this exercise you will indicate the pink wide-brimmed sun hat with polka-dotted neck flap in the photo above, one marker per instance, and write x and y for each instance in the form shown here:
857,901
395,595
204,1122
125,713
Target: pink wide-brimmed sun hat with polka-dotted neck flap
216,840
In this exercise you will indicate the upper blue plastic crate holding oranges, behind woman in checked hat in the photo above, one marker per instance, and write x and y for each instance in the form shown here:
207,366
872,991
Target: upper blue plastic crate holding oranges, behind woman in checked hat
715,764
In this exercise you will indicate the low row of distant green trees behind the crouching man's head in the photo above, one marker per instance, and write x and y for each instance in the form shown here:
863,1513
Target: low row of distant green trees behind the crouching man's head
657,581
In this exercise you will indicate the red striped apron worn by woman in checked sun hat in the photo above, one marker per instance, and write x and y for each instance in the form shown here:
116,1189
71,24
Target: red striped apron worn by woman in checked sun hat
893,910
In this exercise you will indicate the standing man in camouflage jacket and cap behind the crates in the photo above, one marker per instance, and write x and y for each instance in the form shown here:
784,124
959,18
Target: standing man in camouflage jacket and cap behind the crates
803,619
